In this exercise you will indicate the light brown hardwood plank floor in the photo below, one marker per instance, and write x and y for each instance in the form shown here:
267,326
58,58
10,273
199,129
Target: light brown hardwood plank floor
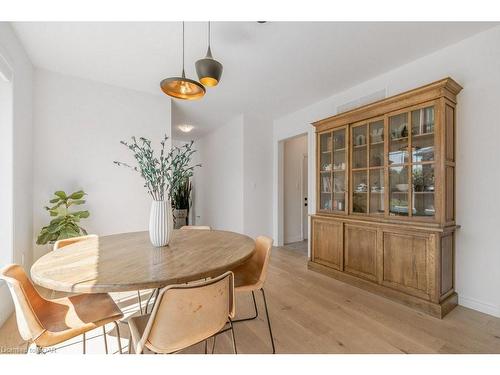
312,313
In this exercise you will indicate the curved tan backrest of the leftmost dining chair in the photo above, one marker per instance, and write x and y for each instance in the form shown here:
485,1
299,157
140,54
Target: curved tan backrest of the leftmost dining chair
27,301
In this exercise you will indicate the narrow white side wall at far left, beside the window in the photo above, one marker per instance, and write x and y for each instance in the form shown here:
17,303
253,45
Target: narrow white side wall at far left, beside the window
22,156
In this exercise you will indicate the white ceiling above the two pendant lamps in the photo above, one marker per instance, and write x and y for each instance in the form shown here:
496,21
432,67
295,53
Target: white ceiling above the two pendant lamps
269,69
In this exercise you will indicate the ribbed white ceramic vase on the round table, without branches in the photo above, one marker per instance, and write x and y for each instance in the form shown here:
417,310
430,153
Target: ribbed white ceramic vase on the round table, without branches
161,223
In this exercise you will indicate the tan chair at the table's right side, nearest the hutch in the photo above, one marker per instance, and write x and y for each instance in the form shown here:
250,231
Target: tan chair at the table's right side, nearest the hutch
251,276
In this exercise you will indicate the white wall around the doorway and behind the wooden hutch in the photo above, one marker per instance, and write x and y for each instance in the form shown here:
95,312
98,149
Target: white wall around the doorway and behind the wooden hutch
474,63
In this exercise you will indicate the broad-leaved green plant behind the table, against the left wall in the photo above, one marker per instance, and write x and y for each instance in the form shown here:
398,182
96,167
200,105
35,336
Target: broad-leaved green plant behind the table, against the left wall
65,223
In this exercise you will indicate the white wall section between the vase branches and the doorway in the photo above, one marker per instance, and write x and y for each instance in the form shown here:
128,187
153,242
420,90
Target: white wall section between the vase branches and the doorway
233,189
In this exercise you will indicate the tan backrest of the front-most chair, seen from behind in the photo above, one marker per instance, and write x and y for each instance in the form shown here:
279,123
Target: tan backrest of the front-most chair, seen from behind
189,313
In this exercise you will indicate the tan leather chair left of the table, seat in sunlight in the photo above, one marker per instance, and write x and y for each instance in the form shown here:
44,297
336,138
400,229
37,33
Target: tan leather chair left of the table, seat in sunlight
46,323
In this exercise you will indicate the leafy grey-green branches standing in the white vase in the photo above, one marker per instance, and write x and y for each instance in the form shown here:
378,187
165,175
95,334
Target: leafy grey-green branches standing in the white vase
163,174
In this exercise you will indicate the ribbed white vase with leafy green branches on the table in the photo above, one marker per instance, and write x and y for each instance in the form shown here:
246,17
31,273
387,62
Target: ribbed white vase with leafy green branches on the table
162,175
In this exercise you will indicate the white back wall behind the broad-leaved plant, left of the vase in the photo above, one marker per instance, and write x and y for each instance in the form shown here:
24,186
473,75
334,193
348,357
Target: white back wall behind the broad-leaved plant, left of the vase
77,129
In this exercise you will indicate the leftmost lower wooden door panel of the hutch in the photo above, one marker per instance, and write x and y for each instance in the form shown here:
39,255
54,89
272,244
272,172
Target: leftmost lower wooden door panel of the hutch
327,243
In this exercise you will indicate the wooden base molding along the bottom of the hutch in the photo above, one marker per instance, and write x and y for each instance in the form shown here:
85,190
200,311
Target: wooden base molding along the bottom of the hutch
437,310
